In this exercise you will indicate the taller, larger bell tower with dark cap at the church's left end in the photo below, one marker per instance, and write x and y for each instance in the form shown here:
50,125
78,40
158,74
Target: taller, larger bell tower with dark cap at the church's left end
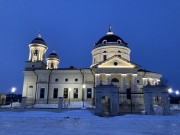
37,54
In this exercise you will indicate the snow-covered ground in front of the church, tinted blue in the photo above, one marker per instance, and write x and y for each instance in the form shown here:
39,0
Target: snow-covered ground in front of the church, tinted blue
83,122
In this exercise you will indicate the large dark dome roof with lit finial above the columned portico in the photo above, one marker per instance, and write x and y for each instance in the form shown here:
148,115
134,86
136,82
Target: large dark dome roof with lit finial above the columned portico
110,40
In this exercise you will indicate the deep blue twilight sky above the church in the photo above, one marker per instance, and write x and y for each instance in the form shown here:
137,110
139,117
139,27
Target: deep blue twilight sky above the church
71,27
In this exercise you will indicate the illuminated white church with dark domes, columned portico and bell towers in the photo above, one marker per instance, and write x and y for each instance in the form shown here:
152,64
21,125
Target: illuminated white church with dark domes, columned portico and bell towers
45,81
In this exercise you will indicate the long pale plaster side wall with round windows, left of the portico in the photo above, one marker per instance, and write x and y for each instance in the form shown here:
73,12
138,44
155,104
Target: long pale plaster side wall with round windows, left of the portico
61,75
